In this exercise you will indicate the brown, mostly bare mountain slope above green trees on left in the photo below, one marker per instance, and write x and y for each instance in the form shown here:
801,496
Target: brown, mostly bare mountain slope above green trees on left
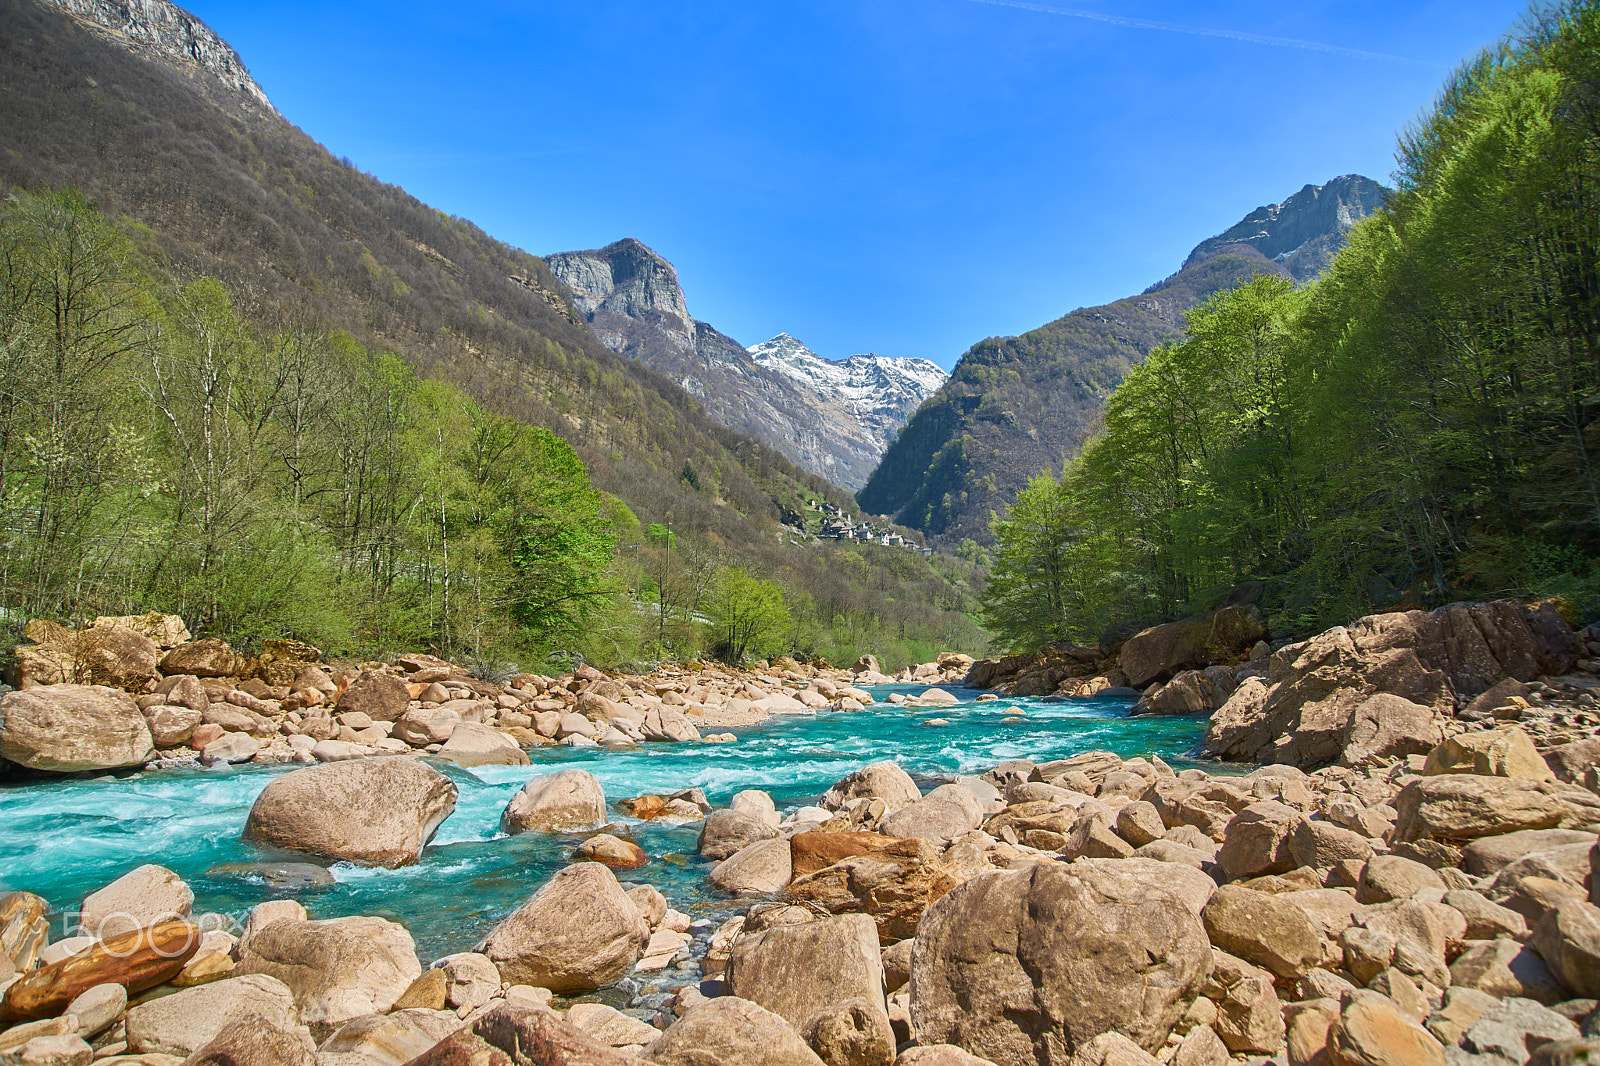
156,121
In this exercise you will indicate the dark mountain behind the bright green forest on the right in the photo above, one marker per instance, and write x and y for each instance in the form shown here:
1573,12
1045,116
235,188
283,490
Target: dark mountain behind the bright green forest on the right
1022,404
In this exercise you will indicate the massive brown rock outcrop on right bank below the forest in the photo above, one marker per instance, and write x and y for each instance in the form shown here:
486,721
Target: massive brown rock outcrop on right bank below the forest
1306,711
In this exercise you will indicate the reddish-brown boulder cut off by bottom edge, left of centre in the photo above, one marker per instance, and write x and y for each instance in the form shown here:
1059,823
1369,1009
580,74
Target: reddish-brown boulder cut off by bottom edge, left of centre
522,1036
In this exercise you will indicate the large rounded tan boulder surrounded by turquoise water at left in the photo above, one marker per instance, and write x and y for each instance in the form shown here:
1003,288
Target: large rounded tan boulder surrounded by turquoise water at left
378,812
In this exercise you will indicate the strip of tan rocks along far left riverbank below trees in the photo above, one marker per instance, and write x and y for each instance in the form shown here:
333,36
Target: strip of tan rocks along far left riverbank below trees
135,692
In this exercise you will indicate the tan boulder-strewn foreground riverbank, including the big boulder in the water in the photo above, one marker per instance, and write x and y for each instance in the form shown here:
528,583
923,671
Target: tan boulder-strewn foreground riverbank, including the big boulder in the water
1090,912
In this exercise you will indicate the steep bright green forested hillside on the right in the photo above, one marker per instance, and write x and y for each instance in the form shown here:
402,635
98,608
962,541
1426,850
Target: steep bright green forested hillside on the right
1418,427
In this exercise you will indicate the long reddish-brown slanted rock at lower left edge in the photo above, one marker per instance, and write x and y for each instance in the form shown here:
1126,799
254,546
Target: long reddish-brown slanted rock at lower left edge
137,961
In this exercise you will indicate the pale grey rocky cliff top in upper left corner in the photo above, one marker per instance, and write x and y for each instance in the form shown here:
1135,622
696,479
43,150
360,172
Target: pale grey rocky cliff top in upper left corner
166,33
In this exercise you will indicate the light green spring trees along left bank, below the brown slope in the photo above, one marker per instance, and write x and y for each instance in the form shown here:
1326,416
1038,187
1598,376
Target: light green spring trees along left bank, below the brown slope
161,451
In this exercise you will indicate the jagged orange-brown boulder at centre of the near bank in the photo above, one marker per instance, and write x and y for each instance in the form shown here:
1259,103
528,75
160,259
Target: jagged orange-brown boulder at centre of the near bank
894,886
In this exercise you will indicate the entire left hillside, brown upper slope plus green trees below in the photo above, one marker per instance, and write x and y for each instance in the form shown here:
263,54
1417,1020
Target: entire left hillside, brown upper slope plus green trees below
217,218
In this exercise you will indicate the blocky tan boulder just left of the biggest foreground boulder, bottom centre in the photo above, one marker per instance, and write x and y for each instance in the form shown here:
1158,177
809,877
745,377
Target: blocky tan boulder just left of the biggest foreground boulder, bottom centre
802,971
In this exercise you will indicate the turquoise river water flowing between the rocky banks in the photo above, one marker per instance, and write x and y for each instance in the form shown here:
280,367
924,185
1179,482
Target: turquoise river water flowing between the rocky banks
63,840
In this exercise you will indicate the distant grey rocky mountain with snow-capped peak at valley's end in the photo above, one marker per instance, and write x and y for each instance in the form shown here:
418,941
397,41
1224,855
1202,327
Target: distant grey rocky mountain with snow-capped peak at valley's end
831,417
